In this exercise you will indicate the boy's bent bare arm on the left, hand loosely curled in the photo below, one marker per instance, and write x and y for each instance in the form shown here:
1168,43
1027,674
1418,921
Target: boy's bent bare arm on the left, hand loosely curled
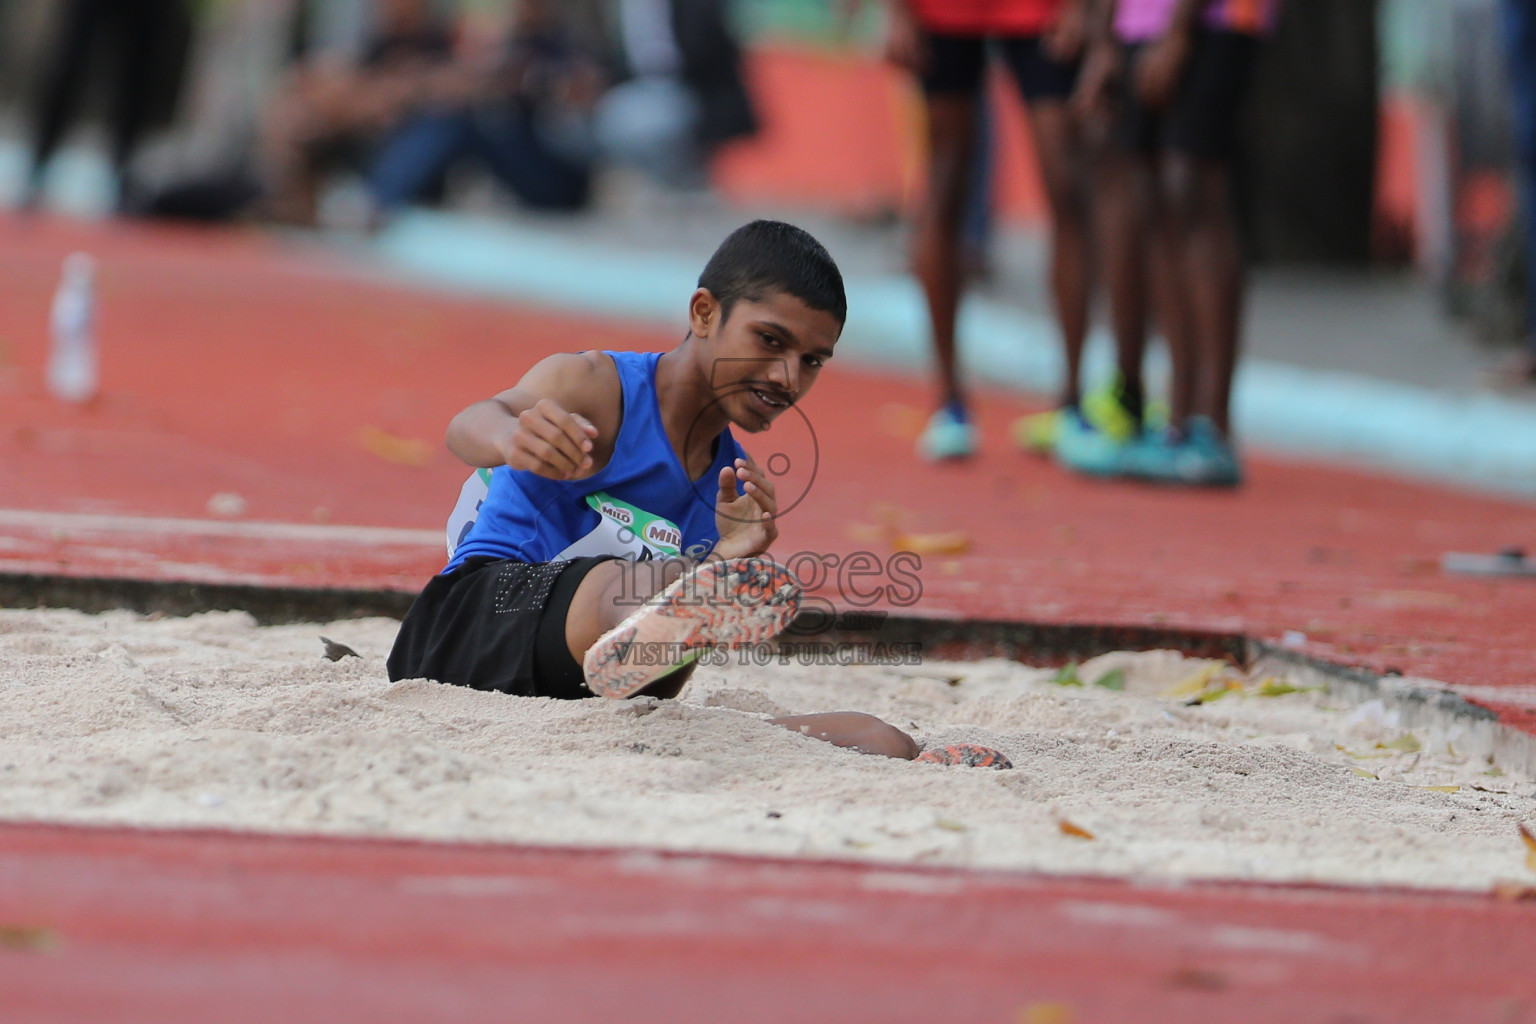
558,420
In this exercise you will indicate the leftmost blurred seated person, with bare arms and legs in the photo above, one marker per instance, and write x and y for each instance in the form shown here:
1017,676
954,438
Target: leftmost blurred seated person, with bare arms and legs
333,114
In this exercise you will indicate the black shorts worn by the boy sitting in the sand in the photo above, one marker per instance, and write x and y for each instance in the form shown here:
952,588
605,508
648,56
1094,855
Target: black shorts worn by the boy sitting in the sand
495,626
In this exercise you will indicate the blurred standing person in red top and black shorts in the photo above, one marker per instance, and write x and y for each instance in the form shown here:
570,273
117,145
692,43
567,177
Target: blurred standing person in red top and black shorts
945,45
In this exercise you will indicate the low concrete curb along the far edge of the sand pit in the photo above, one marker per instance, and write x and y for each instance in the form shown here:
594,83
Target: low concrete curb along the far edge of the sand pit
1425,705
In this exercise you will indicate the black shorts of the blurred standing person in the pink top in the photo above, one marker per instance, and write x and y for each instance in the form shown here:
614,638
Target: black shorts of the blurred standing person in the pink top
1203,119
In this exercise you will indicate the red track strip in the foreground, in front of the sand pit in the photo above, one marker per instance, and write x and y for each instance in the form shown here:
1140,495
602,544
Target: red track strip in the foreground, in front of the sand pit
131,927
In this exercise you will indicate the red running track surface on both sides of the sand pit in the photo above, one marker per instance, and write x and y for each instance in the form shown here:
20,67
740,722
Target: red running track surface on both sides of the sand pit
240,366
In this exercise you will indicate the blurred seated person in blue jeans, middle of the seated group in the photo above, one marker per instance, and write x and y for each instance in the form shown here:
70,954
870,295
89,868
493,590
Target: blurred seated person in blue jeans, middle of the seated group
523,111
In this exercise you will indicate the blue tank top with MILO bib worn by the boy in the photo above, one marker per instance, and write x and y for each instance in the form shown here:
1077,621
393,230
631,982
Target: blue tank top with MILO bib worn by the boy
641,506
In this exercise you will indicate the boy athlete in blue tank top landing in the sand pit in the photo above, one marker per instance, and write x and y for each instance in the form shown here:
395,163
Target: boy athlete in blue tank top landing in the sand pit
624,530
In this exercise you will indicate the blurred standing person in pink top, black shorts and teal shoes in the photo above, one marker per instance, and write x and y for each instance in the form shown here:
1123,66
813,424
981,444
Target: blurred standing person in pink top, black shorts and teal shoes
1176,74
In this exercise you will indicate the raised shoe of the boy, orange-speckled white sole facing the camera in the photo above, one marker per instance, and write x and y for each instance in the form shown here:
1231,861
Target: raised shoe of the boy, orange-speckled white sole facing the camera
738,603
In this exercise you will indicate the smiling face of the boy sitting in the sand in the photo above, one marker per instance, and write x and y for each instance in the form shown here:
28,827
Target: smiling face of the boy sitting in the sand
766,355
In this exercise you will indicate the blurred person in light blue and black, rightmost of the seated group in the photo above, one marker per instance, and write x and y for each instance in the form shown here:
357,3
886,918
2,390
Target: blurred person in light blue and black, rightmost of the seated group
684,94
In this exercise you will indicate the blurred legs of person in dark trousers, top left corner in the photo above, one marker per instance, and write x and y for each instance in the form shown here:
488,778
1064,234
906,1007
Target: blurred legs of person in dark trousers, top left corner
145,44
